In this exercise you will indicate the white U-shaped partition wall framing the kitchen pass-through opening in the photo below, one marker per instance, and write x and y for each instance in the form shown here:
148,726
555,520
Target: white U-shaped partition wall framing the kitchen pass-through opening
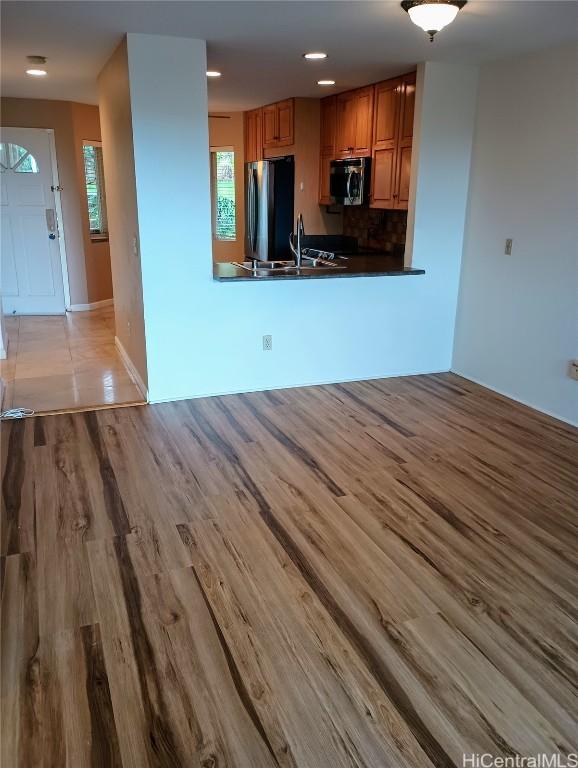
205,337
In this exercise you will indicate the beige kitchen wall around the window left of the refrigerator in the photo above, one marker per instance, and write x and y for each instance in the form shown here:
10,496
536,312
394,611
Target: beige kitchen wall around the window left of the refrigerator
226,130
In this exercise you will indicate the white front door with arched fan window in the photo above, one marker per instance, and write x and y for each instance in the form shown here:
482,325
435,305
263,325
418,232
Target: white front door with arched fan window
31,270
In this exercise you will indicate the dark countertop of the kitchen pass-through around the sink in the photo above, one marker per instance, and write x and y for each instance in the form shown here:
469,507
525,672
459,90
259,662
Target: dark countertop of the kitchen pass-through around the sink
359,264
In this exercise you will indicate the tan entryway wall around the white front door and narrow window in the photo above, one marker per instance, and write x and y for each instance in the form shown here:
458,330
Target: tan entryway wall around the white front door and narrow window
88,265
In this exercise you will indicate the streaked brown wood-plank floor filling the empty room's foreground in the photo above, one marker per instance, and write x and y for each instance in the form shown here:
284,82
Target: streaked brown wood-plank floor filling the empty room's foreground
381,573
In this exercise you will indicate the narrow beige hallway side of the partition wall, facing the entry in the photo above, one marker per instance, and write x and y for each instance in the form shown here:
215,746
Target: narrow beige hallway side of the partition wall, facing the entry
119,174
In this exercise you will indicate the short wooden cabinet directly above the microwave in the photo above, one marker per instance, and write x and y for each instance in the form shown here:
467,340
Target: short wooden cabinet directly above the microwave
354,123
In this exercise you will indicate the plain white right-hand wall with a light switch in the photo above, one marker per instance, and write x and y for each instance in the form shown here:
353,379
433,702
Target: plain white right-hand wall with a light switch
517,324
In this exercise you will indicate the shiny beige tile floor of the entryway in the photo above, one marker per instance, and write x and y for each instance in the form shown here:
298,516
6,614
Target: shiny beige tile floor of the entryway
68,362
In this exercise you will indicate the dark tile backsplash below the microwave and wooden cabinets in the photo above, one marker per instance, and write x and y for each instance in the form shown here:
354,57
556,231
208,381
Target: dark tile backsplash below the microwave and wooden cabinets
374,228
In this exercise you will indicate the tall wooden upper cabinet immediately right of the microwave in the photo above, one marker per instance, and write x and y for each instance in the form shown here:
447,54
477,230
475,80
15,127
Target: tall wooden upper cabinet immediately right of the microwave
392,142
